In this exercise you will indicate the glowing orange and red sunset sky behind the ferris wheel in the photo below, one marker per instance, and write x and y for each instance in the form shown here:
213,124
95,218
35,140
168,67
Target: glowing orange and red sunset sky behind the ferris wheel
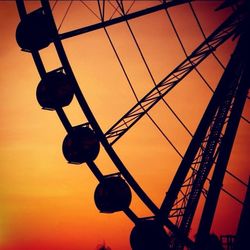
48,204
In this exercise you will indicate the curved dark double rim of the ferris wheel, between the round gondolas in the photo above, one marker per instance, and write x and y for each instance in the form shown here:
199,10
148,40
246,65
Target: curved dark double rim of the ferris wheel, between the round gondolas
116,160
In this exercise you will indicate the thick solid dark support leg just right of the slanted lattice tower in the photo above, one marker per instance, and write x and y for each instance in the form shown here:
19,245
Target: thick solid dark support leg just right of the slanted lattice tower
226,145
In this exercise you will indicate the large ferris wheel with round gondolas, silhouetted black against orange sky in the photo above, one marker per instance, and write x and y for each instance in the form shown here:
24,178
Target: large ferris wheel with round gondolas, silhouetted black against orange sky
206,157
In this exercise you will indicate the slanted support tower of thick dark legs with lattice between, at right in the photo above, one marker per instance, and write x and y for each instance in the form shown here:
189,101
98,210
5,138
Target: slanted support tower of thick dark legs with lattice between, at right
211,145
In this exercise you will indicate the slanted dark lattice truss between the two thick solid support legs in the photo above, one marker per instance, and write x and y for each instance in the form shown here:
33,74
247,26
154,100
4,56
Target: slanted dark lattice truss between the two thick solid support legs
208,151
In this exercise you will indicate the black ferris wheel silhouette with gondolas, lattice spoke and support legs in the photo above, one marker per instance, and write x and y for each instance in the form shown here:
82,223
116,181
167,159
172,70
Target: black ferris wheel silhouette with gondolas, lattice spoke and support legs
210,146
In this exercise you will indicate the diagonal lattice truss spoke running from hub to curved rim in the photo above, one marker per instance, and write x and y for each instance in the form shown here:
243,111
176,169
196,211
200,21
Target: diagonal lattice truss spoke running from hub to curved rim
218,37
